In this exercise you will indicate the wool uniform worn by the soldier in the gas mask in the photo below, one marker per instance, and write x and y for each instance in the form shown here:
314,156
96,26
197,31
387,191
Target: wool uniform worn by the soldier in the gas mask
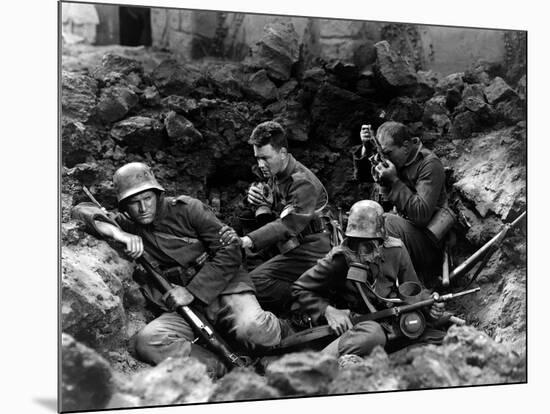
327,283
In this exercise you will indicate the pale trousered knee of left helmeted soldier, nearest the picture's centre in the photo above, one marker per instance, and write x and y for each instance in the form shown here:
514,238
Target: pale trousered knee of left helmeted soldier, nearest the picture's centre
250,323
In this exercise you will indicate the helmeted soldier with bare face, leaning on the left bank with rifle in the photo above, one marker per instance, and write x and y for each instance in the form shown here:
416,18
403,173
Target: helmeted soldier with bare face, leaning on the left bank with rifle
175,232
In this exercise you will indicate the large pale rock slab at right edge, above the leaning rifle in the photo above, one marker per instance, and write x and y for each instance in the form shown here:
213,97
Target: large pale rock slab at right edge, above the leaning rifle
491,174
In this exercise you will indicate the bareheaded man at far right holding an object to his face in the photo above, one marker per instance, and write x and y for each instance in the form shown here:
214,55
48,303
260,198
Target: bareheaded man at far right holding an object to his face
414,182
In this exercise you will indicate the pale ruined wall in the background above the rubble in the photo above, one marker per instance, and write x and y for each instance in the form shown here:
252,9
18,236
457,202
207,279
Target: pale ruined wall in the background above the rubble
194,34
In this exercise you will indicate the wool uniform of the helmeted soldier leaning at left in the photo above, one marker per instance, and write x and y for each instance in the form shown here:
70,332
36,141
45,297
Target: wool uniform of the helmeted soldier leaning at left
183,230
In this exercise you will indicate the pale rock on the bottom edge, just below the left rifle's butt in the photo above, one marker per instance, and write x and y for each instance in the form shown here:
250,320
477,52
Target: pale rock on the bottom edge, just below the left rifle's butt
242,385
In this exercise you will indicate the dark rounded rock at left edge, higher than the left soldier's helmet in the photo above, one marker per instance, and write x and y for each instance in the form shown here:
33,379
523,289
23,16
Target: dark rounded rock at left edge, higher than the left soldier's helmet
78,143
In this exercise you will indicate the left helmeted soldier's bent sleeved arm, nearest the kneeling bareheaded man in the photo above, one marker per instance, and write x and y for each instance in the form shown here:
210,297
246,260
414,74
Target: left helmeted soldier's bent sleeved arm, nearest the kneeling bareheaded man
223,261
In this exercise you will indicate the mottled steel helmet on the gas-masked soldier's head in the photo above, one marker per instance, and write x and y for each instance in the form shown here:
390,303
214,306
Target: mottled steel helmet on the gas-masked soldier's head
366,220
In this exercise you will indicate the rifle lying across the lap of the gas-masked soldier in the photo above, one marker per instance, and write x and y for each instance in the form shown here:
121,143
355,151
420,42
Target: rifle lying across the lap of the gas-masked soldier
406,319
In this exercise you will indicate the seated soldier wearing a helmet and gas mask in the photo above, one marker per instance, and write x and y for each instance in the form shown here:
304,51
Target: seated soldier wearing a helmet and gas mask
361,275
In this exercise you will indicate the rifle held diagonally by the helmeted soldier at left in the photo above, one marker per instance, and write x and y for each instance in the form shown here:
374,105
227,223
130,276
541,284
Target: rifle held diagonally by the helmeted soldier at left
201,327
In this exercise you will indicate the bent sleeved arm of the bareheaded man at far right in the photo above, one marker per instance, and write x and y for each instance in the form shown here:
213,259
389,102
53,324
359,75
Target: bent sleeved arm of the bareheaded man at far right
420,205
